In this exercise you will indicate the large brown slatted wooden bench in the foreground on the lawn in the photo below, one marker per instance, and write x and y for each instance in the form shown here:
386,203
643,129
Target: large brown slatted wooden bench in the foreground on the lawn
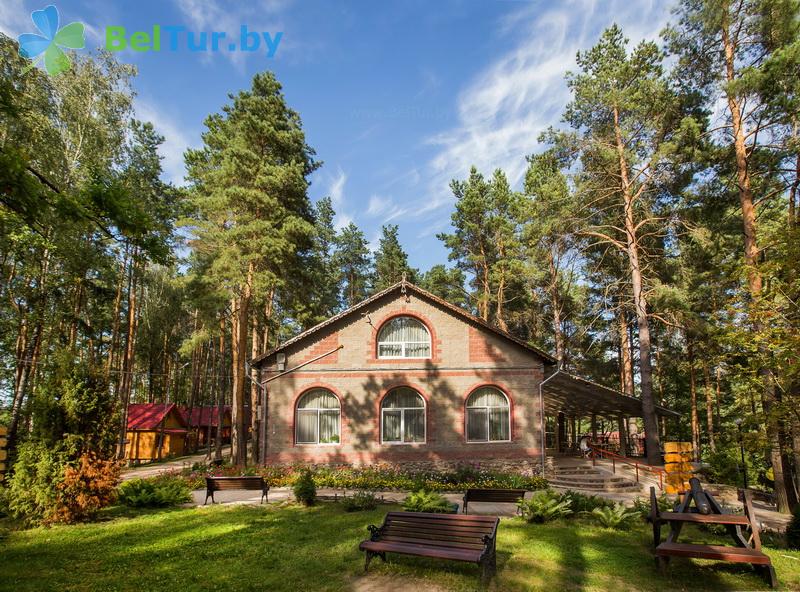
455,537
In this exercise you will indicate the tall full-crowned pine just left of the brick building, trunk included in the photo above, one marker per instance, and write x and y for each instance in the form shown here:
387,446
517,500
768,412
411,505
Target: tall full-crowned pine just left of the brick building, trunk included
249,185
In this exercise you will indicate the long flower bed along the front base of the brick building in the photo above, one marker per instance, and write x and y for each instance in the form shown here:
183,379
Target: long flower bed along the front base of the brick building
381,477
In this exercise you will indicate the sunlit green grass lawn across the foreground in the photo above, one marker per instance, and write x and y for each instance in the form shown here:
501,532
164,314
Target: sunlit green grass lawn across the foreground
297,549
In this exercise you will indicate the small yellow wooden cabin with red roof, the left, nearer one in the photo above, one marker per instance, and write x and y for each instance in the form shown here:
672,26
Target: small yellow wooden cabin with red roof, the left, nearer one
155,430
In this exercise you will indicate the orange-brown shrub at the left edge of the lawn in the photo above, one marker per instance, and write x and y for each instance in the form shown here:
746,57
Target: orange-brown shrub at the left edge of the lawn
85,489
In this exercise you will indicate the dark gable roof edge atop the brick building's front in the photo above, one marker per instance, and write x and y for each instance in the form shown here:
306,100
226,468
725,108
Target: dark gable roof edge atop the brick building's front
404,286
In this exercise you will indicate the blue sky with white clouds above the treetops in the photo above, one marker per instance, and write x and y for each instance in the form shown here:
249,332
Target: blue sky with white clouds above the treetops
397,98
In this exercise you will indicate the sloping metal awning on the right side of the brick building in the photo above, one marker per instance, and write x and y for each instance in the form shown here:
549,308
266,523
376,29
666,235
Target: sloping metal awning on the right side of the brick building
578,396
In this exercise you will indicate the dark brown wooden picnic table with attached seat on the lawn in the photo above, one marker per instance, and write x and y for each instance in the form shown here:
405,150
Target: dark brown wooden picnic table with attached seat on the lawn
700,507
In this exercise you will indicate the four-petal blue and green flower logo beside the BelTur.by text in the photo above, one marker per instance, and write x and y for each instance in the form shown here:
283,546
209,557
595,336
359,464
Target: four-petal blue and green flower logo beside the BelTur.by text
48,45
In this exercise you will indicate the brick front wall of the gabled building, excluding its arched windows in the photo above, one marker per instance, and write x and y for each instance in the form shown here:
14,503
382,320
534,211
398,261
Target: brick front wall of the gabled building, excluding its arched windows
464,357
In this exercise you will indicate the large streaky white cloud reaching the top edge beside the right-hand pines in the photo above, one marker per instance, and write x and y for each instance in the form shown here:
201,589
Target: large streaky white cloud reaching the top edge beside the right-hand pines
505,107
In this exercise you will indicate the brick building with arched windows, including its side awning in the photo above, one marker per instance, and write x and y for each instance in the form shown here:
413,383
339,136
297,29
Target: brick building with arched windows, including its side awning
405,377
